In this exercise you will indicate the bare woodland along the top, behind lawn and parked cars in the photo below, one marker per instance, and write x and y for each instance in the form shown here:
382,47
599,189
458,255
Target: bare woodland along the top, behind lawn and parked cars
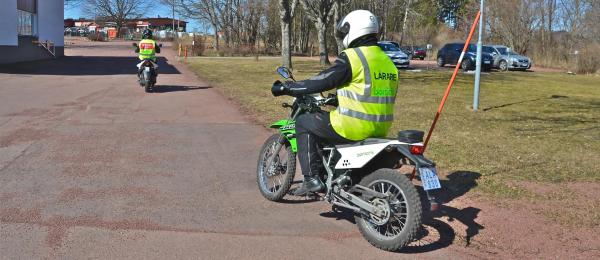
555,33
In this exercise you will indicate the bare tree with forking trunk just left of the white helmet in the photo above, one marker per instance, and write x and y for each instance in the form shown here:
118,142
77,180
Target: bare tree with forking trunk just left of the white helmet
320,11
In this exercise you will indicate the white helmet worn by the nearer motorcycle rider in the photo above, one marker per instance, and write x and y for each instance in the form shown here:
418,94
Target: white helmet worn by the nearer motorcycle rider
355,25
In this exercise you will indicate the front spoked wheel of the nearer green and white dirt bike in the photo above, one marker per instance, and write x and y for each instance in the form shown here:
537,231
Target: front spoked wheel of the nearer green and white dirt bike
275,181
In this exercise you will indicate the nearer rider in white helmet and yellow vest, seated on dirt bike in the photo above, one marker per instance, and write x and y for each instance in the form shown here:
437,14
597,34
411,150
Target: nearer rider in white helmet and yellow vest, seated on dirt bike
366,81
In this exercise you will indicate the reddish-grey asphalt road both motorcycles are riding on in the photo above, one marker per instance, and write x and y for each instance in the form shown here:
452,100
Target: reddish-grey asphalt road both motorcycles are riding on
92,167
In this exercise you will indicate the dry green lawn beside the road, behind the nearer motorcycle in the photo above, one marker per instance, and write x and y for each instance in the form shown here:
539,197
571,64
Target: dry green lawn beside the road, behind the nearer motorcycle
539,127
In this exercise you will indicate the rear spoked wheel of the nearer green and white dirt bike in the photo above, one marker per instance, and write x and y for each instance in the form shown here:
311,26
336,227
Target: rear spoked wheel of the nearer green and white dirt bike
401,213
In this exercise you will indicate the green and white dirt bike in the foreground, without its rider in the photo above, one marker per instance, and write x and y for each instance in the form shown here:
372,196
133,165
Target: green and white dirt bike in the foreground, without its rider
362,177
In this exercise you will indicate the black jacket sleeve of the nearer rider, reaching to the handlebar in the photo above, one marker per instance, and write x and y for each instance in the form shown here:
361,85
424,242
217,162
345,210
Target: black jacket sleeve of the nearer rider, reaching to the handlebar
335,76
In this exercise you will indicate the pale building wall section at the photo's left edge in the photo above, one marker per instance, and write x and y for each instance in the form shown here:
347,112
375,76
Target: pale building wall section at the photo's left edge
8,23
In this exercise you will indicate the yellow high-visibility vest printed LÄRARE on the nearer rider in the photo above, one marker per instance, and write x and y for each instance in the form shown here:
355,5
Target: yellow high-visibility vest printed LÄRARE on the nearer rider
366,103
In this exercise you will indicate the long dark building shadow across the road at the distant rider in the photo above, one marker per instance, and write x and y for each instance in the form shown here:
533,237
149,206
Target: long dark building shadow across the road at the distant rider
85,66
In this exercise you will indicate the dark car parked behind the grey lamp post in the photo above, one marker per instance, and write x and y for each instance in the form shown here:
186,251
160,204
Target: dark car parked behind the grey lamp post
450,53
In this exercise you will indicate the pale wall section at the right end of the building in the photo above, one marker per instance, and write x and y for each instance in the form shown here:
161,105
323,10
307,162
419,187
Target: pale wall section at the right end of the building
50,21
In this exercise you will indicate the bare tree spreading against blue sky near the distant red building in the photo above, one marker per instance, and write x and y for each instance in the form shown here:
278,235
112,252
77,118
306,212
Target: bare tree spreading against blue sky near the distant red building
117,11
